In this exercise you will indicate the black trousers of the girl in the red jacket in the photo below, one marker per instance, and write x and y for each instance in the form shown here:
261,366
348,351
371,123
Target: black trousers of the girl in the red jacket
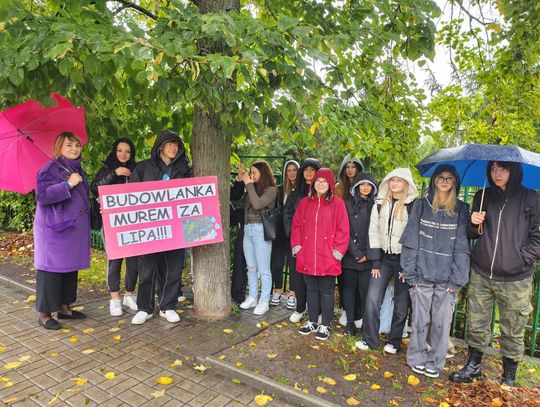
320,297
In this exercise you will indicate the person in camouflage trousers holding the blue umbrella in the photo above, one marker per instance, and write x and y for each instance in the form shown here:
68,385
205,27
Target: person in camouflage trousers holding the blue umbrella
506,221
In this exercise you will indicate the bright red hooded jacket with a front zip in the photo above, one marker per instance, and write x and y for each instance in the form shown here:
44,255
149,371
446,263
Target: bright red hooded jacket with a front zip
320,231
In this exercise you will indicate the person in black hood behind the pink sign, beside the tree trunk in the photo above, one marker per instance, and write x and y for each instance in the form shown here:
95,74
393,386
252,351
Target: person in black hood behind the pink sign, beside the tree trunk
168,161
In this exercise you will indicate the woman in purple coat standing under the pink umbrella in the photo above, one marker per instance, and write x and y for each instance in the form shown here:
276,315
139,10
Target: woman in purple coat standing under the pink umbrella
61,231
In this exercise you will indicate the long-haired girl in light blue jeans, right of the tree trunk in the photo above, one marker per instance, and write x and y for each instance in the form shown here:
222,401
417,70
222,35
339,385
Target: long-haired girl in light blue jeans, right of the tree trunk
261,195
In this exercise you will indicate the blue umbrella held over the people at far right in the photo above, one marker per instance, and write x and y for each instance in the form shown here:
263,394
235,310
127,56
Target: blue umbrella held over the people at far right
471,161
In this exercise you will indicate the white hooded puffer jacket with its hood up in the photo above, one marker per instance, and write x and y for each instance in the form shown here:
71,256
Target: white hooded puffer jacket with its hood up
384,230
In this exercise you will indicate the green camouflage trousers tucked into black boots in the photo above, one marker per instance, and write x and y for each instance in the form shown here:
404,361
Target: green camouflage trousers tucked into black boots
514,303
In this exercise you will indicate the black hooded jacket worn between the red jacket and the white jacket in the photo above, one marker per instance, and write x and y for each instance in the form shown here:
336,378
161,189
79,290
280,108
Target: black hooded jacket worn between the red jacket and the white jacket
359,212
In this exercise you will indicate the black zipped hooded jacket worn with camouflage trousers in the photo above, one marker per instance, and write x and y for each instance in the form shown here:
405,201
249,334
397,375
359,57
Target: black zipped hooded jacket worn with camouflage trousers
510,244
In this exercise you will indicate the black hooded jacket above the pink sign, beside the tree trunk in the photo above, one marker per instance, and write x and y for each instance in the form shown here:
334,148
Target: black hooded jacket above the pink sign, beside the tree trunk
154,168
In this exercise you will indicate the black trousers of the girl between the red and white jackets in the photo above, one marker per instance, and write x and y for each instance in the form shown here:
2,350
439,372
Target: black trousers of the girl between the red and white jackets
355,288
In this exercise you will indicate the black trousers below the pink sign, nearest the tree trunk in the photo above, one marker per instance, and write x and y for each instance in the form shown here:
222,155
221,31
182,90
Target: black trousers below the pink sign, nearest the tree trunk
162,270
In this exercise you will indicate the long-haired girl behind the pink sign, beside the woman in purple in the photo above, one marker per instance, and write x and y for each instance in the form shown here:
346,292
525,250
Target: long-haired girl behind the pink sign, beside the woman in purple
116,170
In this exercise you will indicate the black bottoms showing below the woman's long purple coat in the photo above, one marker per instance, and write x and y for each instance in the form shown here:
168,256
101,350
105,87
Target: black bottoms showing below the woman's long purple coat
54,290
